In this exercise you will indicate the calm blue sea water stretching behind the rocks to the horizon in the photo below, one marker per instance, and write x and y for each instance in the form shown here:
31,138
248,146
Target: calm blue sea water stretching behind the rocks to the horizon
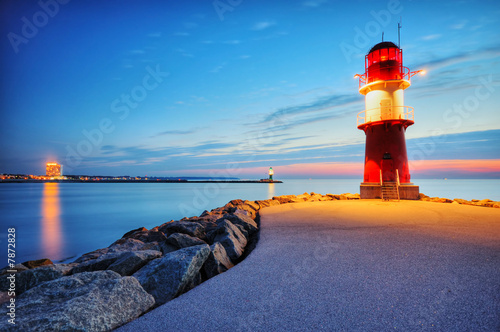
60,221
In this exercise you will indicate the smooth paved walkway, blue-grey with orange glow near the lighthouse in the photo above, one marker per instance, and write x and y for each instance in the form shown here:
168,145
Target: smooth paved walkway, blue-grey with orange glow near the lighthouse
353,266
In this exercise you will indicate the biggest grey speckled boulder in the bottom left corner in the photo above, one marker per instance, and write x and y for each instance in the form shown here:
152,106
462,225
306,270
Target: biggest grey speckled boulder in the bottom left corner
97,301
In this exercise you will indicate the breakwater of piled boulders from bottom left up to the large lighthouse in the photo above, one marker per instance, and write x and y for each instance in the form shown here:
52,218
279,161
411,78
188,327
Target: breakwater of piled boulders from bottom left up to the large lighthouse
109,287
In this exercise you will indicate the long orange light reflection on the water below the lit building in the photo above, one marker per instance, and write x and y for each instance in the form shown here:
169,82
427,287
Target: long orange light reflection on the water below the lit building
51,221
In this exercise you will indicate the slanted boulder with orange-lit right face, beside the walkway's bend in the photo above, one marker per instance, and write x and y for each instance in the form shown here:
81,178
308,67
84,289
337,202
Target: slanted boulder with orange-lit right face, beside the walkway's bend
231,239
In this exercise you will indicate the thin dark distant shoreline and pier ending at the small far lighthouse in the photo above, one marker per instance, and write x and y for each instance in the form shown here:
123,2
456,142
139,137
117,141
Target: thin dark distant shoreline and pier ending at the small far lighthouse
138,181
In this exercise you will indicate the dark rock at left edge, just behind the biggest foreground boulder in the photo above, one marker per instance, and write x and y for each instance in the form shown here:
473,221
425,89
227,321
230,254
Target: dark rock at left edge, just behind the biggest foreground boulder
30,278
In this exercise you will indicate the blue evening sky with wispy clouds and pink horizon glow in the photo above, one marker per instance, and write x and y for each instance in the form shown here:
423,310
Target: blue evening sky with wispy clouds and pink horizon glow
231,87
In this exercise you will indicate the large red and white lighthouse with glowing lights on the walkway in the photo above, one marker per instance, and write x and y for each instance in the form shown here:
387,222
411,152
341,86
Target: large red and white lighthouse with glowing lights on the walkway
384,122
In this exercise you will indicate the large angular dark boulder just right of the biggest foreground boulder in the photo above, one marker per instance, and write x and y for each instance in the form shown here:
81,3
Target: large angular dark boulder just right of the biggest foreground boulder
167,277
